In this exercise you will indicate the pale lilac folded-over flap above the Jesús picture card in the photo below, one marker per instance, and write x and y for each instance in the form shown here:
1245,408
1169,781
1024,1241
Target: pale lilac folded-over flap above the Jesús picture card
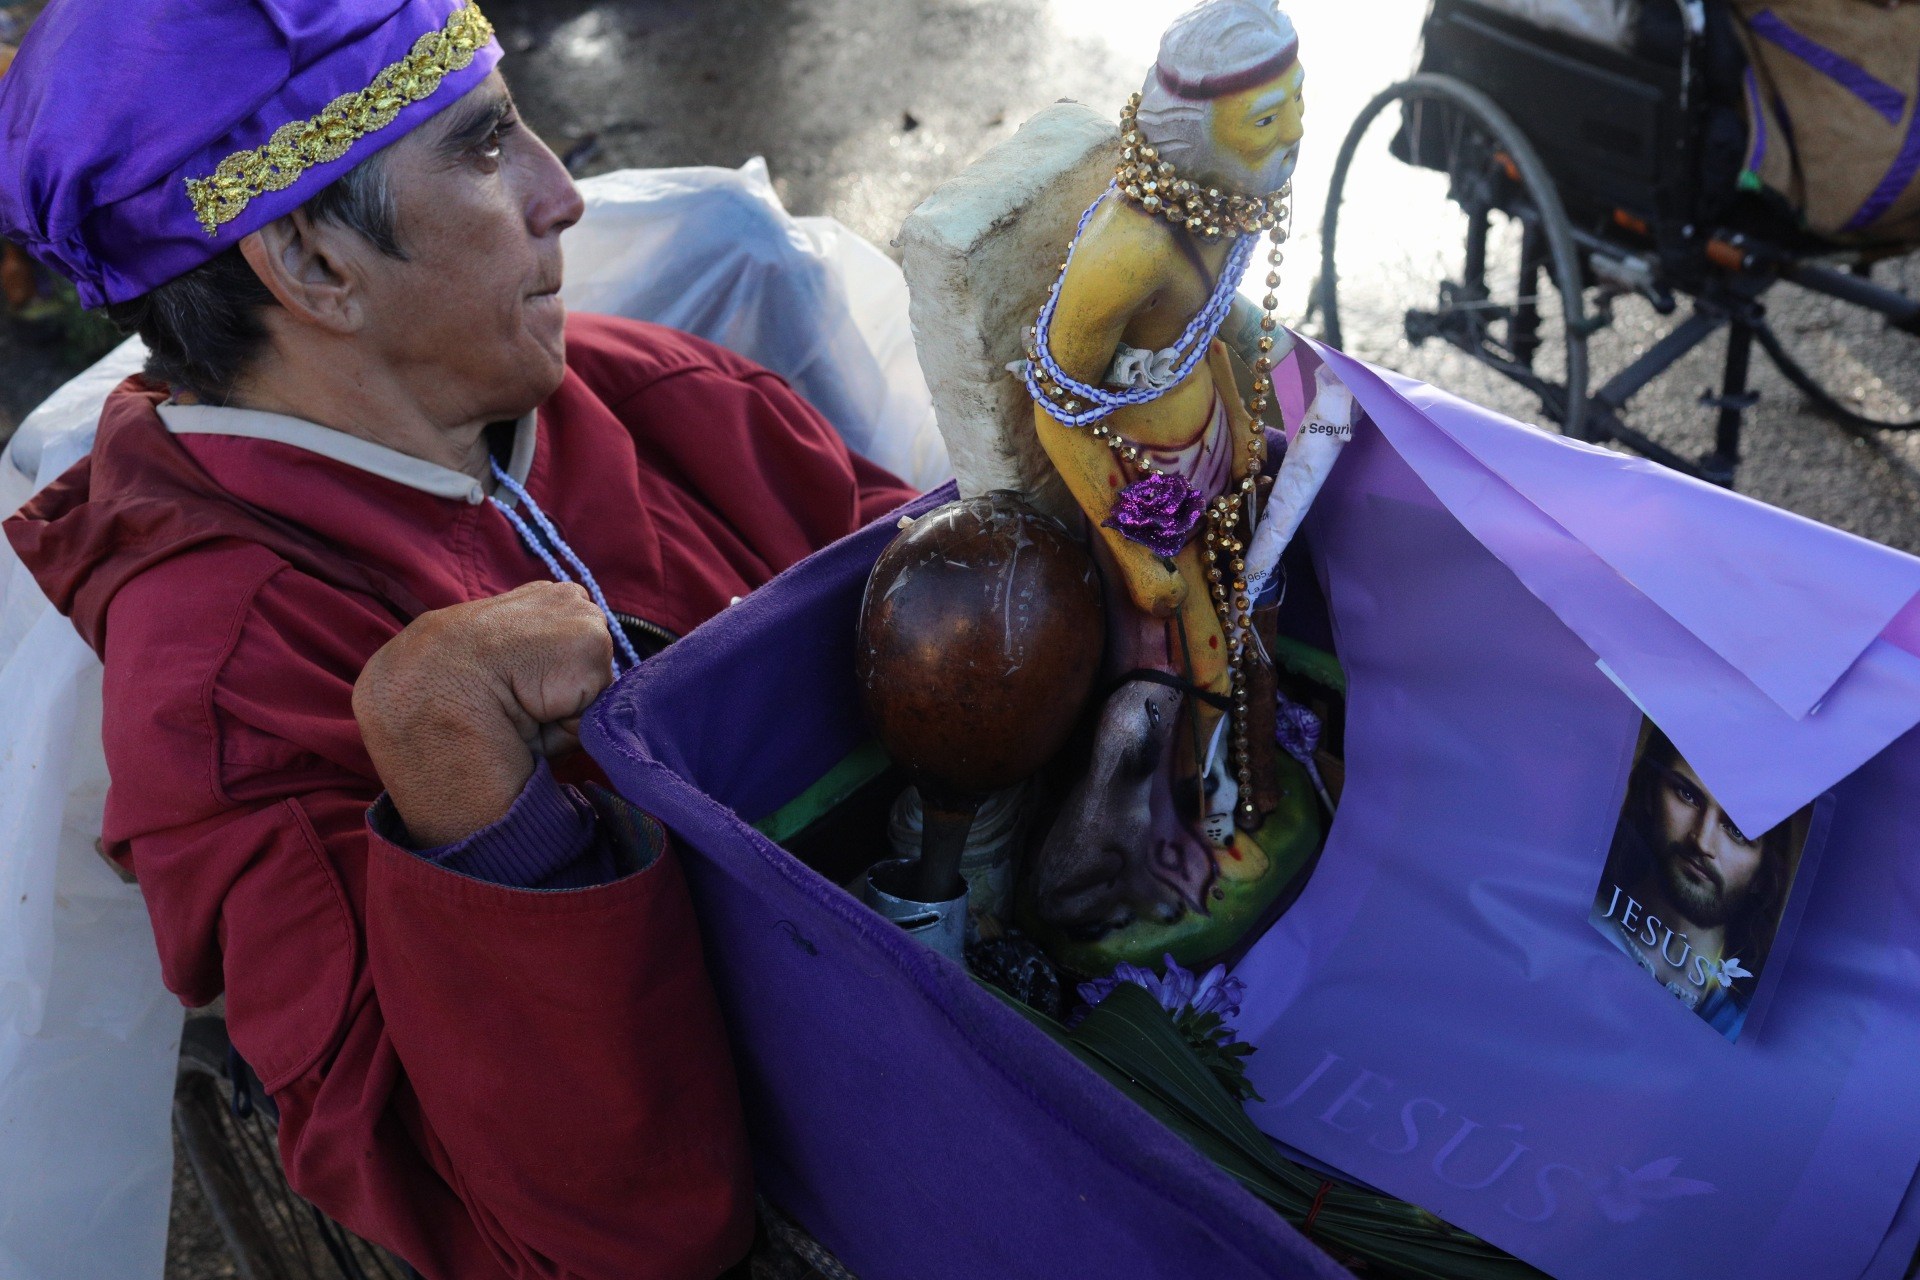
1764,644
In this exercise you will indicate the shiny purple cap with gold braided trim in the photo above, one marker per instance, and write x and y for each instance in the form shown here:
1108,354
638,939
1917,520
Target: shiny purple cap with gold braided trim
141,139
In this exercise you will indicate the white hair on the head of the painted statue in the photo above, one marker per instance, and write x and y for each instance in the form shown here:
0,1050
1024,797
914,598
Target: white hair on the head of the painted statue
1209,41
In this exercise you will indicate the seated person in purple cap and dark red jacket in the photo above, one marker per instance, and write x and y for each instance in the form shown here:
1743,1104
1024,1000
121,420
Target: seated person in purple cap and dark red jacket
373,533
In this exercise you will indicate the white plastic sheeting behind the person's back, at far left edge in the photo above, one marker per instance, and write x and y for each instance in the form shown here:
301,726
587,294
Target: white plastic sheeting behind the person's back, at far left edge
87,1033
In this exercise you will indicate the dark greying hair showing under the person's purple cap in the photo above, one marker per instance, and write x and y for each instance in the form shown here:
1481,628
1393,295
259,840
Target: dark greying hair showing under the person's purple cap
203,331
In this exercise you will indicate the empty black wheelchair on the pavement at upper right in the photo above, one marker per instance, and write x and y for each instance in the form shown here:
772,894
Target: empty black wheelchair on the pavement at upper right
1518,220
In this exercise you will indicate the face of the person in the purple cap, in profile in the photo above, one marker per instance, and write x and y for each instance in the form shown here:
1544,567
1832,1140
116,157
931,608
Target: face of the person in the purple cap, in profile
473,318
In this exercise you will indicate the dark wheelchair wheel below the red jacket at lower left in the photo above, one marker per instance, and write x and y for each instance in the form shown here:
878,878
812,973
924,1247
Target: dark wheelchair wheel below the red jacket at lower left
229,1133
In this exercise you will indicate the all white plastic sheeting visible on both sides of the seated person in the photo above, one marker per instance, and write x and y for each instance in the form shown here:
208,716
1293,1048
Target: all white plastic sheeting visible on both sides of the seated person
89,1037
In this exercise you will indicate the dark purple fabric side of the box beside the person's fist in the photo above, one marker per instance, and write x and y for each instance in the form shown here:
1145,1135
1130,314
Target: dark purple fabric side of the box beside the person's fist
907,1118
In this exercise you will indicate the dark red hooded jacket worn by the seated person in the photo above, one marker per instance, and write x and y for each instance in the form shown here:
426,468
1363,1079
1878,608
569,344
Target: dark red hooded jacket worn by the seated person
491,1081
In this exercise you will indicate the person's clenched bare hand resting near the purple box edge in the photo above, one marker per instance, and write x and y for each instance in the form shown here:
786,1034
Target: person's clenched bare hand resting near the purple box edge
460,705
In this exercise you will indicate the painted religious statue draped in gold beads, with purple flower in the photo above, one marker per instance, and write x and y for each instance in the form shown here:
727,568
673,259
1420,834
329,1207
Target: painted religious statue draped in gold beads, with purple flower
1136,404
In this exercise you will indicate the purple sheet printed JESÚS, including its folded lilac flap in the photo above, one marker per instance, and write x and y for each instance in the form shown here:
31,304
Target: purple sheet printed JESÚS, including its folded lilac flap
1435,1014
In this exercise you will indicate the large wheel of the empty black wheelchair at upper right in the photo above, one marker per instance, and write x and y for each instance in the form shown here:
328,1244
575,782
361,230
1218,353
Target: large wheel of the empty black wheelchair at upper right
1447,256
